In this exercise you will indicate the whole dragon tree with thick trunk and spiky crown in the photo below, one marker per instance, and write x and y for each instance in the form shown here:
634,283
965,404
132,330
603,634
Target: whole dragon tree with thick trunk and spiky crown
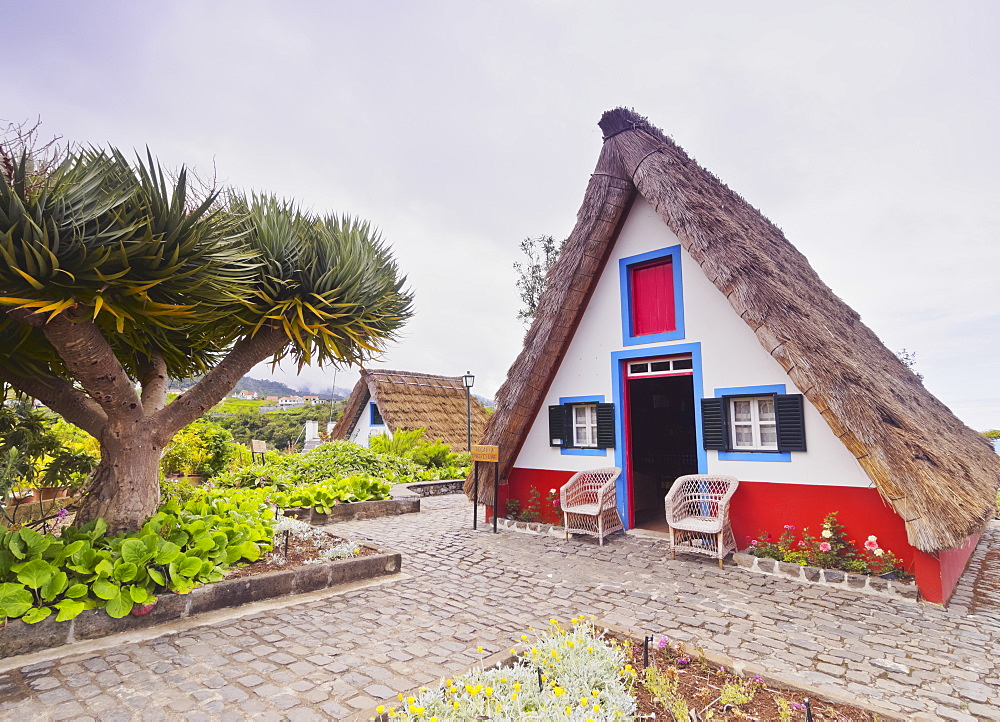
116,278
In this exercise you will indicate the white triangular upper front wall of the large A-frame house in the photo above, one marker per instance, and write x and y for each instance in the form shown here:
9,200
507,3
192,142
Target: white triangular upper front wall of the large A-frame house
731,357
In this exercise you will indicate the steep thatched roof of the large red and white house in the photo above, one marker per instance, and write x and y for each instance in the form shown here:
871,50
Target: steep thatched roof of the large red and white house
939,475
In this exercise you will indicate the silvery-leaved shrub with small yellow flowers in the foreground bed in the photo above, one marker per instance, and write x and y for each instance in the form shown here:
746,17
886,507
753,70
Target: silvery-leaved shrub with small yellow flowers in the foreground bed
567,674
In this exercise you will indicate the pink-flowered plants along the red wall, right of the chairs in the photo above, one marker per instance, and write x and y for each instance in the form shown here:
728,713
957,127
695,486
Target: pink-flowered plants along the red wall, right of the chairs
831,550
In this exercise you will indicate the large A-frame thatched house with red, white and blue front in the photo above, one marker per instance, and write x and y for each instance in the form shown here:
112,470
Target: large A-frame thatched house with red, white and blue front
680,332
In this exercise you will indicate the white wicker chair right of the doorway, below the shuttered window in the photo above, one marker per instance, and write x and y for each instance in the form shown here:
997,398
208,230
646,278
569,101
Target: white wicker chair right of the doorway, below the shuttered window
698,515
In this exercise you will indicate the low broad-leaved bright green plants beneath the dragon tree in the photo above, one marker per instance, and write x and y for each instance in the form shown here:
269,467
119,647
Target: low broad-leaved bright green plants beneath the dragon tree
179,548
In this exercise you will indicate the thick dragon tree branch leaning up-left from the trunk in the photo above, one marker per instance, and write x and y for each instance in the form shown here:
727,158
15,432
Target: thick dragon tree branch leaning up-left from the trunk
89,359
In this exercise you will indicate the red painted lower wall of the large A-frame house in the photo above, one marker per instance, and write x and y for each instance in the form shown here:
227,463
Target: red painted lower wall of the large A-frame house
761,507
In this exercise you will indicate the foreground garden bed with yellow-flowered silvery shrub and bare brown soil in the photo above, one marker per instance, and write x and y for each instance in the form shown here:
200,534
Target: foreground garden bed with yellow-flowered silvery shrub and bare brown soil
570,673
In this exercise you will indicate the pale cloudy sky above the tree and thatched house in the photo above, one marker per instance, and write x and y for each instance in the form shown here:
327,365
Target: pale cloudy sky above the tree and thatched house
866,130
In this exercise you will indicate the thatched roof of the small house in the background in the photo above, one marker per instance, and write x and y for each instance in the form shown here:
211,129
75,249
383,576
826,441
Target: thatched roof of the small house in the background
409,400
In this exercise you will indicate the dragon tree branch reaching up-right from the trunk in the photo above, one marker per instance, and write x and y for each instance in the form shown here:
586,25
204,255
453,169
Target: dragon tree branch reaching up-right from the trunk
213,387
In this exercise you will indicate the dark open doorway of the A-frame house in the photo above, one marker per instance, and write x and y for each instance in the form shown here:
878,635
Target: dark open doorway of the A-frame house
662,441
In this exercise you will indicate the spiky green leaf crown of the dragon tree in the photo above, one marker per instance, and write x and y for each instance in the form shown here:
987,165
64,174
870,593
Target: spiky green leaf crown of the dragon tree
158,269
